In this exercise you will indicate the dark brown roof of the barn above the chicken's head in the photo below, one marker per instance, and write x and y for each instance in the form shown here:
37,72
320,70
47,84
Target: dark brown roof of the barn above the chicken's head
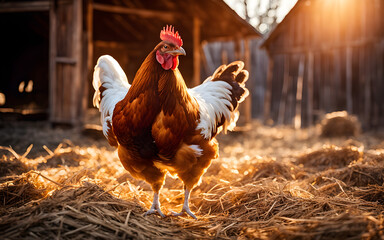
138,20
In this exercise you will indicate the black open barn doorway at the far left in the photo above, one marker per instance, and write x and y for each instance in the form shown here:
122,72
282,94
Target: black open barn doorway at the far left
24,65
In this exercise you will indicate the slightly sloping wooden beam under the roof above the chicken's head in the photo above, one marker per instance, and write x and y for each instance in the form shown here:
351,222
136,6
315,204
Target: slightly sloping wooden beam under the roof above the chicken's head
145,13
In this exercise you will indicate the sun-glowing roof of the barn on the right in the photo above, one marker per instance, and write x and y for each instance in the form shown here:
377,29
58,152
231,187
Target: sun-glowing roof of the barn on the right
325,24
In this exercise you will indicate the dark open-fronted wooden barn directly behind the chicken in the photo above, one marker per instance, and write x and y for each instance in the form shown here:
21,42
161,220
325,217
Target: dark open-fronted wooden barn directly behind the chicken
49,47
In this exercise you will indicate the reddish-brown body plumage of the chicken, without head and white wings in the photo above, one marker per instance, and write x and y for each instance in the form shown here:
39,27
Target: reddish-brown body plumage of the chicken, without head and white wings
155,125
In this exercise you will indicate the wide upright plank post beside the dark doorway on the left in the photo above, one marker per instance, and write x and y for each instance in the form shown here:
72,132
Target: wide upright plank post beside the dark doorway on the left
66,106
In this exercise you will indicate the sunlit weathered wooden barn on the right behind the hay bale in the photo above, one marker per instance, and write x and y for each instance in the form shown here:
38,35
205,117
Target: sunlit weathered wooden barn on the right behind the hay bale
327,55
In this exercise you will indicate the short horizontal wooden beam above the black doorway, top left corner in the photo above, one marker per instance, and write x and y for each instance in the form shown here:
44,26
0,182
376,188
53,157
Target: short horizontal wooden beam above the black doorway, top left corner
30,6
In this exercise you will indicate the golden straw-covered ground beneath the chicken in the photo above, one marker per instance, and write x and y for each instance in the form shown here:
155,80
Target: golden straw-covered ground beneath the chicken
269,183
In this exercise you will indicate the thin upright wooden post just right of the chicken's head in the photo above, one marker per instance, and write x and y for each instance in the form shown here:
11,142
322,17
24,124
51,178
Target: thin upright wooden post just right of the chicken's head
196,51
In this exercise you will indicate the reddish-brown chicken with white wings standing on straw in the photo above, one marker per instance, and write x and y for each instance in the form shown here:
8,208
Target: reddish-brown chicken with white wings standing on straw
157,124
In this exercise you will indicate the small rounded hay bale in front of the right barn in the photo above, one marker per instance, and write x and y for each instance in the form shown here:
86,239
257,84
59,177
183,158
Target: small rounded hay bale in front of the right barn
340,124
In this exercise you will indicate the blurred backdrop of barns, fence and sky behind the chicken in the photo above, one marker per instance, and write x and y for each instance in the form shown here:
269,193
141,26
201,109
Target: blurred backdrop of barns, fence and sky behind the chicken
306,58
